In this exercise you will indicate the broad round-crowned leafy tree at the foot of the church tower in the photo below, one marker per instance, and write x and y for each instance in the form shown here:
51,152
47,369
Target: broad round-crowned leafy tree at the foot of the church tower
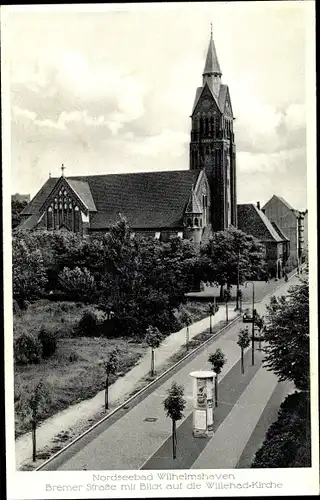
231,257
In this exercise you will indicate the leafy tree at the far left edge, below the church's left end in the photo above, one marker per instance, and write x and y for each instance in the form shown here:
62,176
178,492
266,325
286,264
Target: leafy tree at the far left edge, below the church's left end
28,273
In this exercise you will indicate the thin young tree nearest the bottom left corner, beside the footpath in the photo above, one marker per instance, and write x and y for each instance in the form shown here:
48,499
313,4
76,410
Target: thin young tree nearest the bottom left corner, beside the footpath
32,407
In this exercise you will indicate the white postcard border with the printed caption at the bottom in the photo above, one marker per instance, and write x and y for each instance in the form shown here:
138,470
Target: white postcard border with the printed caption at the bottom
29,485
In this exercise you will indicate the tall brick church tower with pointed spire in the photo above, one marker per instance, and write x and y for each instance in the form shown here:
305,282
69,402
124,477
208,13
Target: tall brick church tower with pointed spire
212,145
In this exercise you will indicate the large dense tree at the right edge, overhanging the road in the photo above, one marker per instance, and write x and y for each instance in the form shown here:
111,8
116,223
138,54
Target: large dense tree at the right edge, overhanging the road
287,350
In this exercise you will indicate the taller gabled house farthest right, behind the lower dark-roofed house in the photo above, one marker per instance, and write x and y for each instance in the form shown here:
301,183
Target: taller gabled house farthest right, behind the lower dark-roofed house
293,224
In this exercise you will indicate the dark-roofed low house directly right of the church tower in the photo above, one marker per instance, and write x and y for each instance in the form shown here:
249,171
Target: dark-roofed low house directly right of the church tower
252,220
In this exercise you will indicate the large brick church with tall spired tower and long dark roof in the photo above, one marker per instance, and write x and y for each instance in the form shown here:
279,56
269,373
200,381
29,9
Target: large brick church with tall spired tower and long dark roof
189,203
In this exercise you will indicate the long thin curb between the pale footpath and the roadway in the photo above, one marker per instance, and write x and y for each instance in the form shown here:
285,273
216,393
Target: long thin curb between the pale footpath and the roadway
141,391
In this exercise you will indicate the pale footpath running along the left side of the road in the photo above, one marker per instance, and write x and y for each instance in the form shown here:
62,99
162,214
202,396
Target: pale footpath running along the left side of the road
76,416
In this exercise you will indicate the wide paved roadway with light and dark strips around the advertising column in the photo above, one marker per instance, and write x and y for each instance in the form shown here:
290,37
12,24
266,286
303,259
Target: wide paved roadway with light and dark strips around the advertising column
247,404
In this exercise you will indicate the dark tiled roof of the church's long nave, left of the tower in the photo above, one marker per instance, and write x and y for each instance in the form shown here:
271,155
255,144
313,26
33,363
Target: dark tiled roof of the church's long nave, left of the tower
147,200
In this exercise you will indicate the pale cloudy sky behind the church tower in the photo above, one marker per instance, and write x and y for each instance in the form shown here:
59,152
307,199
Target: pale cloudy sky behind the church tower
111,91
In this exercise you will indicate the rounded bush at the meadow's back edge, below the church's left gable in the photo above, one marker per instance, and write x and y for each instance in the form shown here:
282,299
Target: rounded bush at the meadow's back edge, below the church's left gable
78,283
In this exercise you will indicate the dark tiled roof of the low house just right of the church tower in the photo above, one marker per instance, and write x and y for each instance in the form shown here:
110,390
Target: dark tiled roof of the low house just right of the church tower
255,222
